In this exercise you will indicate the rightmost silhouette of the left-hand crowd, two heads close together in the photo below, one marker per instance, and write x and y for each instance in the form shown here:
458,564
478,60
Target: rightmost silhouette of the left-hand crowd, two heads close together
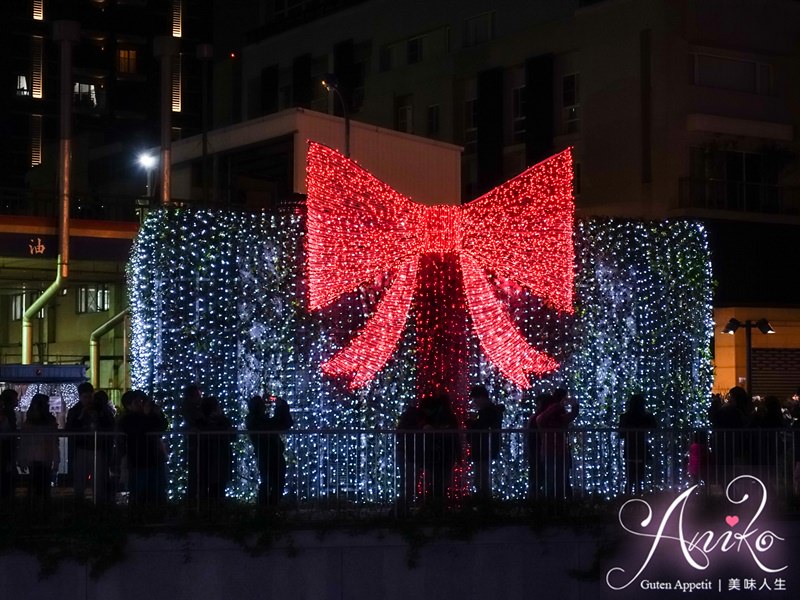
265,434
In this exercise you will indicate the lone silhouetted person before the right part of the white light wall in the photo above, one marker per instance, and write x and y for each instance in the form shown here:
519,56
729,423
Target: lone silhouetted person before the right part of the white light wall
634,425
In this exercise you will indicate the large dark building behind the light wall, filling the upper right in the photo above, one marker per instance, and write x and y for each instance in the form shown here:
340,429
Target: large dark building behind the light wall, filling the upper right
674,109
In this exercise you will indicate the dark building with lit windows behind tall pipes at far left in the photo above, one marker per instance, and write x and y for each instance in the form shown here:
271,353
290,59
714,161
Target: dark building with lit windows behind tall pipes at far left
114,97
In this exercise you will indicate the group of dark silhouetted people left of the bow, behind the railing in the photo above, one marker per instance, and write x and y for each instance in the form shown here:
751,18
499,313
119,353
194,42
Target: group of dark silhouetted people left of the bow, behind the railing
123,450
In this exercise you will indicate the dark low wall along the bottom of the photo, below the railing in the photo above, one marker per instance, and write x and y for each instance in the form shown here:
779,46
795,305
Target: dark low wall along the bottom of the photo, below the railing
505,563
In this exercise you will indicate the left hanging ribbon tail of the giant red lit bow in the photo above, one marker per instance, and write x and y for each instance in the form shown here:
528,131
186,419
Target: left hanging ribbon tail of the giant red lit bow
374,345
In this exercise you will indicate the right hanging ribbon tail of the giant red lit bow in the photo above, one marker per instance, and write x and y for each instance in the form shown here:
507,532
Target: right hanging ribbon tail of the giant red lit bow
504,345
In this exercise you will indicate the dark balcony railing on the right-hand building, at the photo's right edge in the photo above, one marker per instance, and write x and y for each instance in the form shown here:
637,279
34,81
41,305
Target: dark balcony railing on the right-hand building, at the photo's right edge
739,196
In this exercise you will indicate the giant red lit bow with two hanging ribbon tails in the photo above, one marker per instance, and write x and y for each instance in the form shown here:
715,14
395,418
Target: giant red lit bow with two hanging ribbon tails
360,229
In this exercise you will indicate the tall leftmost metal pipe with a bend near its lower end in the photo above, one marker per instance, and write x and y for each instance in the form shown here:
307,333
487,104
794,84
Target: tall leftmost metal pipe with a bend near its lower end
66,33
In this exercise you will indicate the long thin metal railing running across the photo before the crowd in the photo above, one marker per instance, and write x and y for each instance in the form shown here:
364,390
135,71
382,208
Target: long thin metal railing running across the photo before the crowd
319,473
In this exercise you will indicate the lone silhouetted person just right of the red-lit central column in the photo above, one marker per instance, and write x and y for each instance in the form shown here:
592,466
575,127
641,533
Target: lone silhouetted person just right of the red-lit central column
484,441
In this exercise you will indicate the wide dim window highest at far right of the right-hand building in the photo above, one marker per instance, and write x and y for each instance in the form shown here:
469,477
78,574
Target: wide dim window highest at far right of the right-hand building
730,73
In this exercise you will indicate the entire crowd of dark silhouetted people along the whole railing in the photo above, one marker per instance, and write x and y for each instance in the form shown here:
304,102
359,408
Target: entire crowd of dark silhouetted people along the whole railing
124,449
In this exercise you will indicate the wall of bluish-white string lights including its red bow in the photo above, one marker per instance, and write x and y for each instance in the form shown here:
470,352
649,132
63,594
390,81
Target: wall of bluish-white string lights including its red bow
222,299
